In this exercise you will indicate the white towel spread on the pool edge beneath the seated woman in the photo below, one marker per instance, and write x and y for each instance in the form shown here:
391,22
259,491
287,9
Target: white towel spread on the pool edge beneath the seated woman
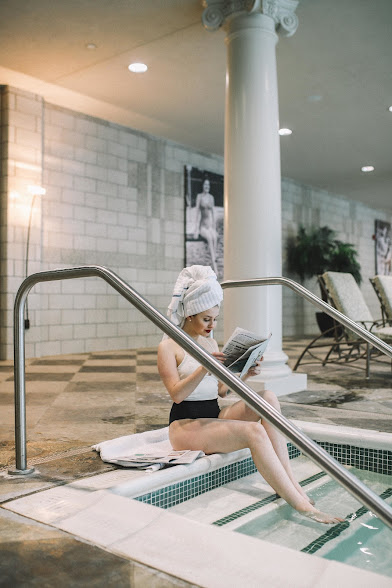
116,450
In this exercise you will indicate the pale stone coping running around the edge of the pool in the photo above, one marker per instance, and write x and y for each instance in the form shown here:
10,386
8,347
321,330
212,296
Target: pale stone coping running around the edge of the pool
98,510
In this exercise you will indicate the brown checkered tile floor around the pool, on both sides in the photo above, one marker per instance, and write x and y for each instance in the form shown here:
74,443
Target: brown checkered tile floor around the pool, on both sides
75,401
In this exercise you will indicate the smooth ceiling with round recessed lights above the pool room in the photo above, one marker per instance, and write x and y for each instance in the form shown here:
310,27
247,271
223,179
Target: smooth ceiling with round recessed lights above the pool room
334,77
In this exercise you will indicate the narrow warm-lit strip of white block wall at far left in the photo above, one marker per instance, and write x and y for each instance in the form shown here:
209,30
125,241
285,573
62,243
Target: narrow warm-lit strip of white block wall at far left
21,134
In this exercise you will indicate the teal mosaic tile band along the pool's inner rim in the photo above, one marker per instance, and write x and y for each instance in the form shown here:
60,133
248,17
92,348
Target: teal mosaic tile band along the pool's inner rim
375,460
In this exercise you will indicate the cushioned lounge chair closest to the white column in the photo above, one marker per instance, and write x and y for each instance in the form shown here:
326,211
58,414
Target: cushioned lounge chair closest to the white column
343,293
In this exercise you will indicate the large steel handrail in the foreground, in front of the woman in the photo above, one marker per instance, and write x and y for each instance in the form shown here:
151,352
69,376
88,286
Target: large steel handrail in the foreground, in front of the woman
263,408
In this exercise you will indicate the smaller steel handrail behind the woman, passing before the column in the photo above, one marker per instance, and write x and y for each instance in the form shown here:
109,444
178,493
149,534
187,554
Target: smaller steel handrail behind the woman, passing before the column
327,308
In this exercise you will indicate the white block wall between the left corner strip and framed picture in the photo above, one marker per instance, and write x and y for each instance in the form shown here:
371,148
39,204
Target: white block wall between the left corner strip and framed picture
105,206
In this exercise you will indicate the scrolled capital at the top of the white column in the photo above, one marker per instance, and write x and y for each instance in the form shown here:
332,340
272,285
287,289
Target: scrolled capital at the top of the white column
218,12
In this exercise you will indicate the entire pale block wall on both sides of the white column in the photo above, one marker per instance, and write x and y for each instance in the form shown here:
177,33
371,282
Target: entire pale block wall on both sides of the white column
114,197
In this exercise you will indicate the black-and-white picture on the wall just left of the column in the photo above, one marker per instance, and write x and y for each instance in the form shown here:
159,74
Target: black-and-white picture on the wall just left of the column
203,191
